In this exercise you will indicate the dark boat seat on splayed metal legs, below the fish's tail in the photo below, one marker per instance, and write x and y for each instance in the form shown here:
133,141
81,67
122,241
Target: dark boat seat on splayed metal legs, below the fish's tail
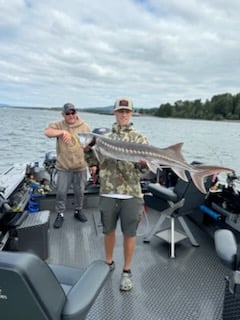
173,203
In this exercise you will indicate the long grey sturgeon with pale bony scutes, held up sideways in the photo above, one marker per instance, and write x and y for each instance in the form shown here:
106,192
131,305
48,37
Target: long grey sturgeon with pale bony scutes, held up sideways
170,157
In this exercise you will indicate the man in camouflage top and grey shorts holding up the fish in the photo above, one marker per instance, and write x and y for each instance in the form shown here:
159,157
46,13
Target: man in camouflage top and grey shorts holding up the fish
120,191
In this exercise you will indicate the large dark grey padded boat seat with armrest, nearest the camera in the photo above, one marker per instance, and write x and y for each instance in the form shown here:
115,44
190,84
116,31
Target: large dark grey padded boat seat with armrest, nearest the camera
32,289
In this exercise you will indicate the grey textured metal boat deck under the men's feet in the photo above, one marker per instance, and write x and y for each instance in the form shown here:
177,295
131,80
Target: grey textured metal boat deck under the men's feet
188,287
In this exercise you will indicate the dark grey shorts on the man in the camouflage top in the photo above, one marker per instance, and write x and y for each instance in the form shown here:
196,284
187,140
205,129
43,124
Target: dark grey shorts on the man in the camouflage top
129,211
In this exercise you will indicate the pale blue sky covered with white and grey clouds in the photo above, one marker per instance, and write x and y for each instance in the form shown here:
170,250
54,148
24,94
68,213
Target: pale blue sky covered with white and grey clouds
91,52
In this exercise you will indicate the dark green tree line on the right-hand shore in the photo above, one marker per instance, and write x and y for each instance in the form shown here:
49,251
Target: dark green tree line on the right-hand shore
220,107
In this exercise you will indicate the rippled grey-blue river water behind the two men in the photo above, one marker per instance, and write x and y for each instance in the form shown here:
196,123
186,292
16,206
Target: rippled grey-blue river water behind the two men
22,139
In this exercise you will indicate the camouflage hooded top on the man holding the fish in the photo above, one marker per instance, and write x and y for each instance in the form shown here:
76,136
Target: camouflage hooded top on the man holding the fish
122,177
